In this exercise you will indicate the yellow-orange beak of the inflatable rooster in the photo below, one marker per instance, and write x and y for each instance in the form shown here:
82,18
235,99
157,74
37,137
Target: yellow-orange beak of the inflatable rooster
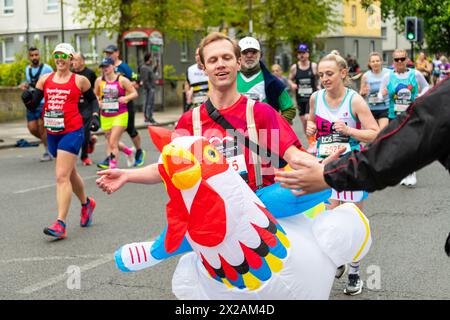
181,166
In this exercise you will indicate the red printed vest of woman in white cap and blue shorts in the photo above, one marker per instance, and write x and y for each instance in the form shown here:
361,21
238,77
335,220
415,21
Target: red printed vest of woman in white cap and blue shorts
61,100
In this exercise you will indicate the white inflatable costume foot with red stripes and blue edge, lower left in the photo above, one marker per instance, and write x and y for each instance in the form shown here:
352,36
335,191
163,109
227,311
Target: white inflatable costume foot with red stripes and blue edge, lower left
135,256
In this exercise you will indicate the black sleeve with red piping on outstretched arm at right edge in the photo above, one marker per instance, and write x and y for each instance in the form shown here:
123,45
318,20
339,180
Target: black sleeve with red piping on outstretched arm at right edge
407,144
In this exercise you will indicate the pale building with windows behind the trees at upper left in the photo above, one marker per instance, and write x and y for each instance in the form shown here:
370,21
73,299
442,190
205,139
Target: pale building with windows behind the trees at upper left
44,23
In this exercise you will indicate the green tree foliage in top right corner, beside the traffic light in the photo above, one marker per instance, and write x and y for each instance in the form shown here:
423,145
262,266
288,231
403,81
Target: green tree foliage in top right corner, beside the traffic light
435,13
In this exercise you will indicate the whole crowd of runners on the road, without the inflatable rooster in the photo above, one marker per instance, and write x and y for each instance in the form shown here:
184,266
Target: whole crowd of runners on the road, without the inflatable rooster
67,106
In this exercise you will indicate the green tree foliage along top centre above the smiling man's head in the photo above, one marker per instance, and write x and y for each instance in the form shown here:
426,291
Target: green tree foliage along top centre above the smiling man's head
273,20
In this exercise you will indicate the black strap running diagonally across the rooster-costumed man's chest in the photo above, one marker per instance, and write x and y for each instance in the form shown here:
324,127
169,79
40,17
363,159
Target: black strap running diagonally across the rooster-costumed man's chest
266,153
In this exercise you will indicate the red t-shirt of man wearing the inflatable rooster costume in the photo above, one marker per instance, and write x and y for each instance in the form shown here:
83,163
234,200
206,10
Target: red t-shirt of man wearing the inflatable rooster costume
273,131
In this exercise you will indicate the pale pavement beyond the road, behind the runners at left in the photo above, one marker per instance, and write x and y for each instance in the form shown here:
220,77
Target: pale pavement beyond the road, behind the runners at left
12,131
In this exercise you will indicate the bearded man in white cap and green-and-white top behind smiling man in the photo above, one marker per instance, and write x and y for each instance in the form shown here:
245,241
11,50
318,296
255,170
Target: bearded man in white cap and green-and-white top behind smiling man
256,82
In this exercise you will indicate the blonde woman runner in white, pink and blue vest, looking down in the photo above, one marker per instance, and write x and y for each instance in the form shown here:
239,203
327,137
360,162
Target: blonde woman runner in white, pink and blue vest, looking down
340,117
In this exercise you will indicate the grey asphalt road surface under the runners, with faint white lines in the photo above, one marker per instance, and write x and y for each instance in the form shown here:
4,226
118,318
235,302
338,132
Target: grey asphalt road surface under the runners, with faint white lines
406,261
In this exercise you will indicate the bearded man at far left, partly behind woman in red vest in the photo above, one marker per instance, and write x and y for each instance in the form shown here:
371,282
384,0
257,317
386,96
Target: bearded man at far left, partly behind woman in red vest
33,72
